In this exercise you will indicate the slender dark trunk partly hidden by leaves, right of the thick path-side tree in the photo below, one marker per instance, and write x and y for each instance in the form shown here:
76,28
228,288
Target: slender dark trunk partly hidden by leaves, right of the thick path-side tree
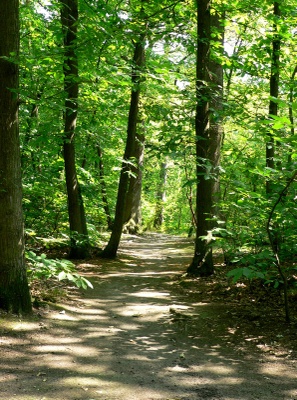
274,88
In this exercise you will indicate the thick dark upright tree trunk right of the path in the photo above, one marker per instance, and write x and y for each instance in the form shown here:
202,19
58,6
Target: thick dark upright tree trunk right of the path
209,84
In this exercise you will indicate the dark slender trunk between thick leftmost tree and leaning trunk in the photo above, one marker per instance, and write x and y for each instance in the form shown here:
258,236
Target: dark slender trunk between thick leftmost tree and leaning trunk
79,240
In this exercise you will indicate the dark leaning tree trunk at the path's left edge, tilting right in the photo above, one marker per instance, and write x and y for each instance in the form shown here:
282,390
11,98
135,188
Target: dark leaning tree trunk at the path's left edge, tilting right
111,249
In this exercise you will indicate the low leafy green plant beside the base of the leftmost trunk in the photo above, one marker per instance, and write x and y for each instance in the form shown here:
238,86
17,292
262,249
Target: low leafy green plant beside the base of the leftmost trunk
40,267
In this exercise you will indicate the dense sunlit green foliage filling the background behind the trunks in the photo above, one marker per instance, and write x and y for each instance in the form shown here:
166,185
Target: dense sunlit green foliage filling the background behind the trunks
106,35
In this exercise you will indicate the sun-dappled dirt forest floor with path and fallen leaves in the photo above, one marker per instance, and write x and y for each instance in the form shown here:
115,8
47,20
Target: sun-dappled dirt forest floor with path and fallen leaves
146,332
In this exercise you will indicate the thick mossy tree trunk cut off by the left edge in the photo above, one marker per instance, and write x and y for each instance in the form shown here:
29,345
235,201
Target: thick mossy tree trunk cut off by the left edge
14,290
